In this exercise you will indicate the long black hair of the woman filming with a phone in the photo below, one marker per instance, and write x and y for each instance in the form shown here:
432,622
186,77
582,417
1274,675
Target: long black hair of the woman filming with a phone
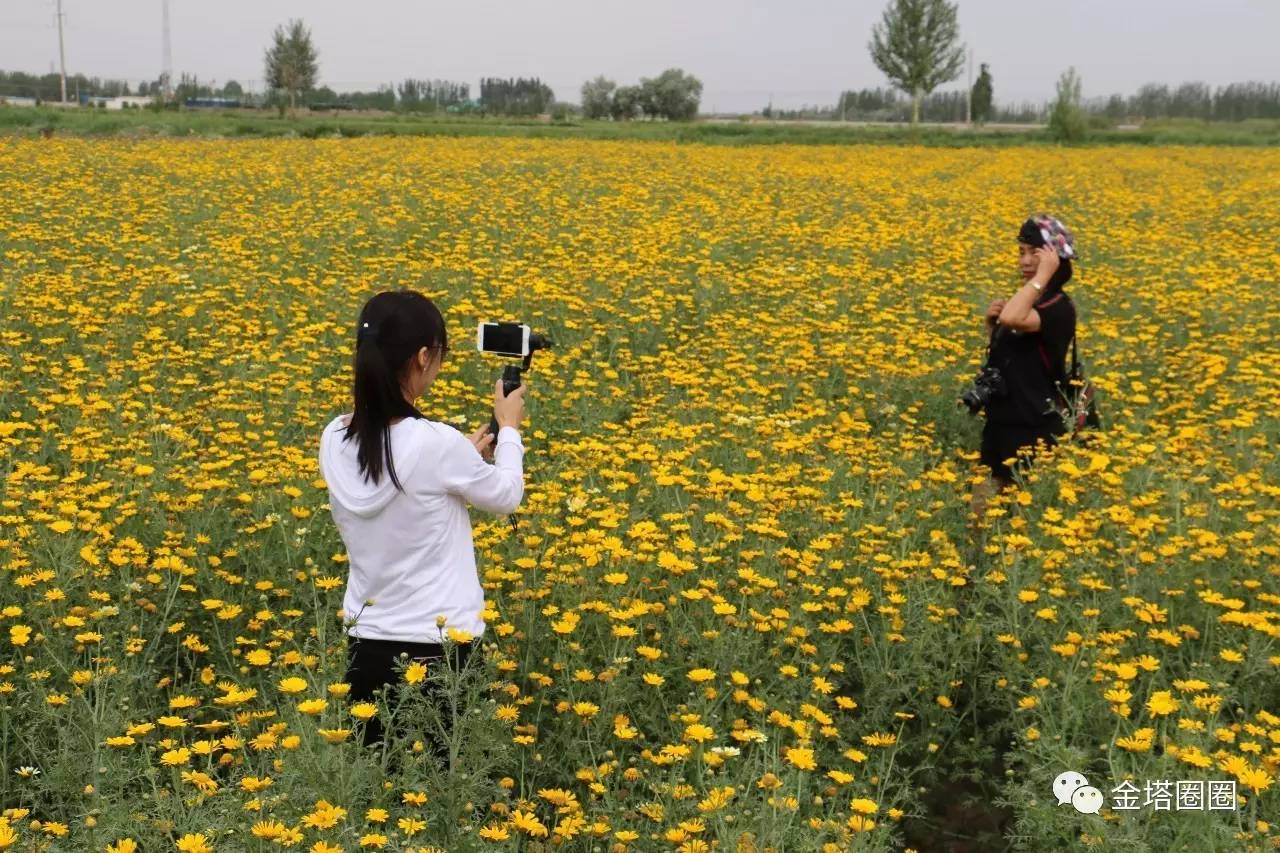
392,329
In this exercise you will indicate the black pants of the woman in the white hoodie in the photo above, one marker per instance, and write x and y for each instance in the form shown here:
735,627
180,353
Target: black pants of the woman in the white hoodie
371,667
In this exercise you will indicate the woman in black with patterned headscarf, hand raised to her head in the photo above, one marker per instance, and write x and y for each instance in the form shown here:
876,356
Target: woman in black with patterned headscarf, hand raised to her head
1030,337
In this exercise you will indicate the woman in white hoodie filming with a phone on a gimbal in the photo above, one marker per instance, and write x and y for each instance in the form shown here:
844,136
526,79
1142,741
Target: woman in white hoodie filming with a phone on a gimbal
399,487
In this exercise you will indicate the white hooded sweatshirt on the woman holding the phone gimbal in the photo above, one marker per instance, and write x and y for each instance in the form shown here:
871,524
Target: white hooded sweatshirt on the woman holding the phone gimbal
412,553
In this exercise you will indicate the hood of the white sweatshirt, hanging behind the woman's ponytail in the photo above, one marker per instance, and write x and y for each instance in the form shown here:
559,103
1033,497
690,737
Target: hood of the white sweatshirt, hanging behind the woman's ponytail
355,491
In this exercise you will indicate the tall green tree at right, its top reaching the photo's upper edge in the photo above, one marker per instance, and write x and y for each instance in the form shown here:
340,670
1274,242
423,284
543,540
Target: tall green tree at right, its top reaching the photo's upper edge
917,47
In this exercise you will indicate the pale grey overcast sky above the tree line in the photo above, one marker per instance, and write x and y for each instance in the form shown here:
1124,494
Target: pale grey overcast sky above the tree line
798,52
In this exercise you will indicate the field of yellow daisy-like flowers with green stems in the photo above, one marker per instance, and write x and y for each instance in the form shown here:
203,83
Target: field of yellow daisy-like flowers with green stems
743,609
